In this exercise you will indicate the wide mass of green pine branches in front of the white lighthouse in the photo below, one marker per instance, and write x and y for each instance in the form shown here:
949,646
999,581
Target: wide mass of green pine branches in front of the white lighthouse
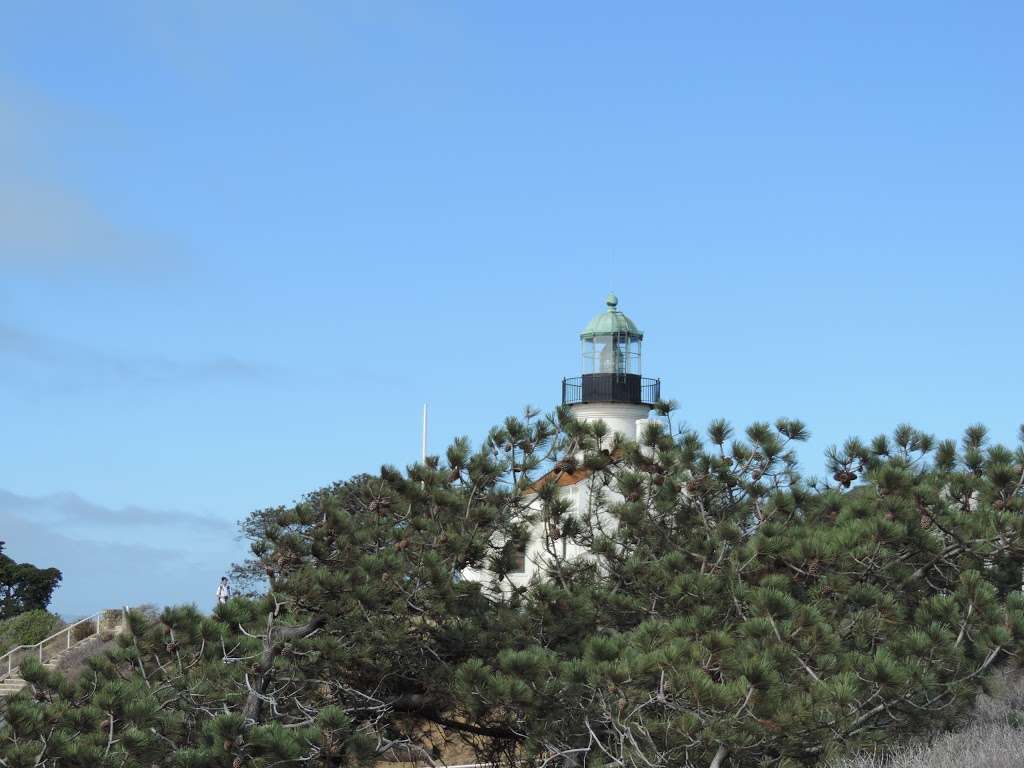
724,611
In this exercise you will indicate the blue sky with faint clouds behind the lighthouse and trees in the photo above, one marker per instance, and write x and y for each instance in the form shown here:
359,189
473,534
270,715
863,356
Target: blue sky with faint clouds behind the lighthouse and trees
242,243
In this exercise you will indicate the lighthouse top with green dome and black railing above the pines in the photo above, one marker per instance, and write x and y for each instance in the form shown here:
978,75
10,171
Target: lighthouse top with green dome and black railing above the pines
611,387
